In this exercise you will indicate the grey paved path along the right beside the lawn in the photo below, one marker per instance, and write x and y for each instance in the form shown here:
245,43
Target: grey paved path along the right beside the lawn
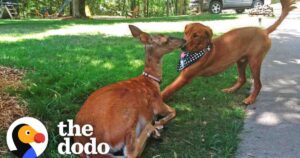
272,127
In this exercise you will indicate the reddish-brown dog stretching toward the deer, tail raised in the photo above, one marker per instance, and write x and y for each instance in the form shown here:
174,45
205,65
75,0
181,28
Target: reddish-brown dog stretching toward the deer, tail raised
243,46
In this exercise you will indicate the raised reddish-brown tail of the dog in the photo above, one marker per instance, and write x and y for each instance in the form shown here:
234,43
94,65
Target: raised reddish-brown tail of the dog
287,6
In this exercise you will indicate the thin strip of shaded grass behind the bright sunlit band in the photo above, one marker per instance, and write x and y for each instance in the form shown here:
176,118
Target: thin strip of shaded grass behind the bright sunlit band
21,27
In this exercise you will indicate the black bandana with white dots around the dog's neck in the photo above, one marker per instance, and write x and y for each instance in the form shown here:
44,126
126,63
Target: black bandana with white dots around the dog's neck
187,59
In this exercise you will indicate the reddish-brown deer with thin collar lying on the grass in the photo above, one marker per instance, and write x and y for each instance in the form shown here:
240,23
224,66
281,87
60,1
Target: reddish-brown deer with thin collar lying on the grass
122,114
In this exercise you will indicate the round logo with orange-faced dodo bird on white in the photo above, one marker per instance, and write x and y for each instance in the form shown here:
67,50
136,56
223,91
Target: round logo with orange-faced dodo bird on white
27,138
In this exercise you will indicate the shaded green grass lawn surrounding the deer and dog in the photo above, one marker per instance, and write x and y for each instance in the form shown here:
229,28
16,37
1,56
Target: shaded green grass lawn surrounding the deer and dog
64,70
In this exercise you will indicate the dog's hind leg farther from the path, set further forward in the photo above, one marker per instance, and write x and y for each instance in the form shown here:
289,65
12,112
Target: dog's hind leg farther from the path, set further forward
241,66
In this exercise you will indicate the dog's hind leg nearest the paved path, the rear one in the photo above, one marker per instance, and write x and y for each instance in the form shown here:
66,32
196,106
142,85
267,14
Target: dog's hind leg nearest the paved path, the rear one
255,66
